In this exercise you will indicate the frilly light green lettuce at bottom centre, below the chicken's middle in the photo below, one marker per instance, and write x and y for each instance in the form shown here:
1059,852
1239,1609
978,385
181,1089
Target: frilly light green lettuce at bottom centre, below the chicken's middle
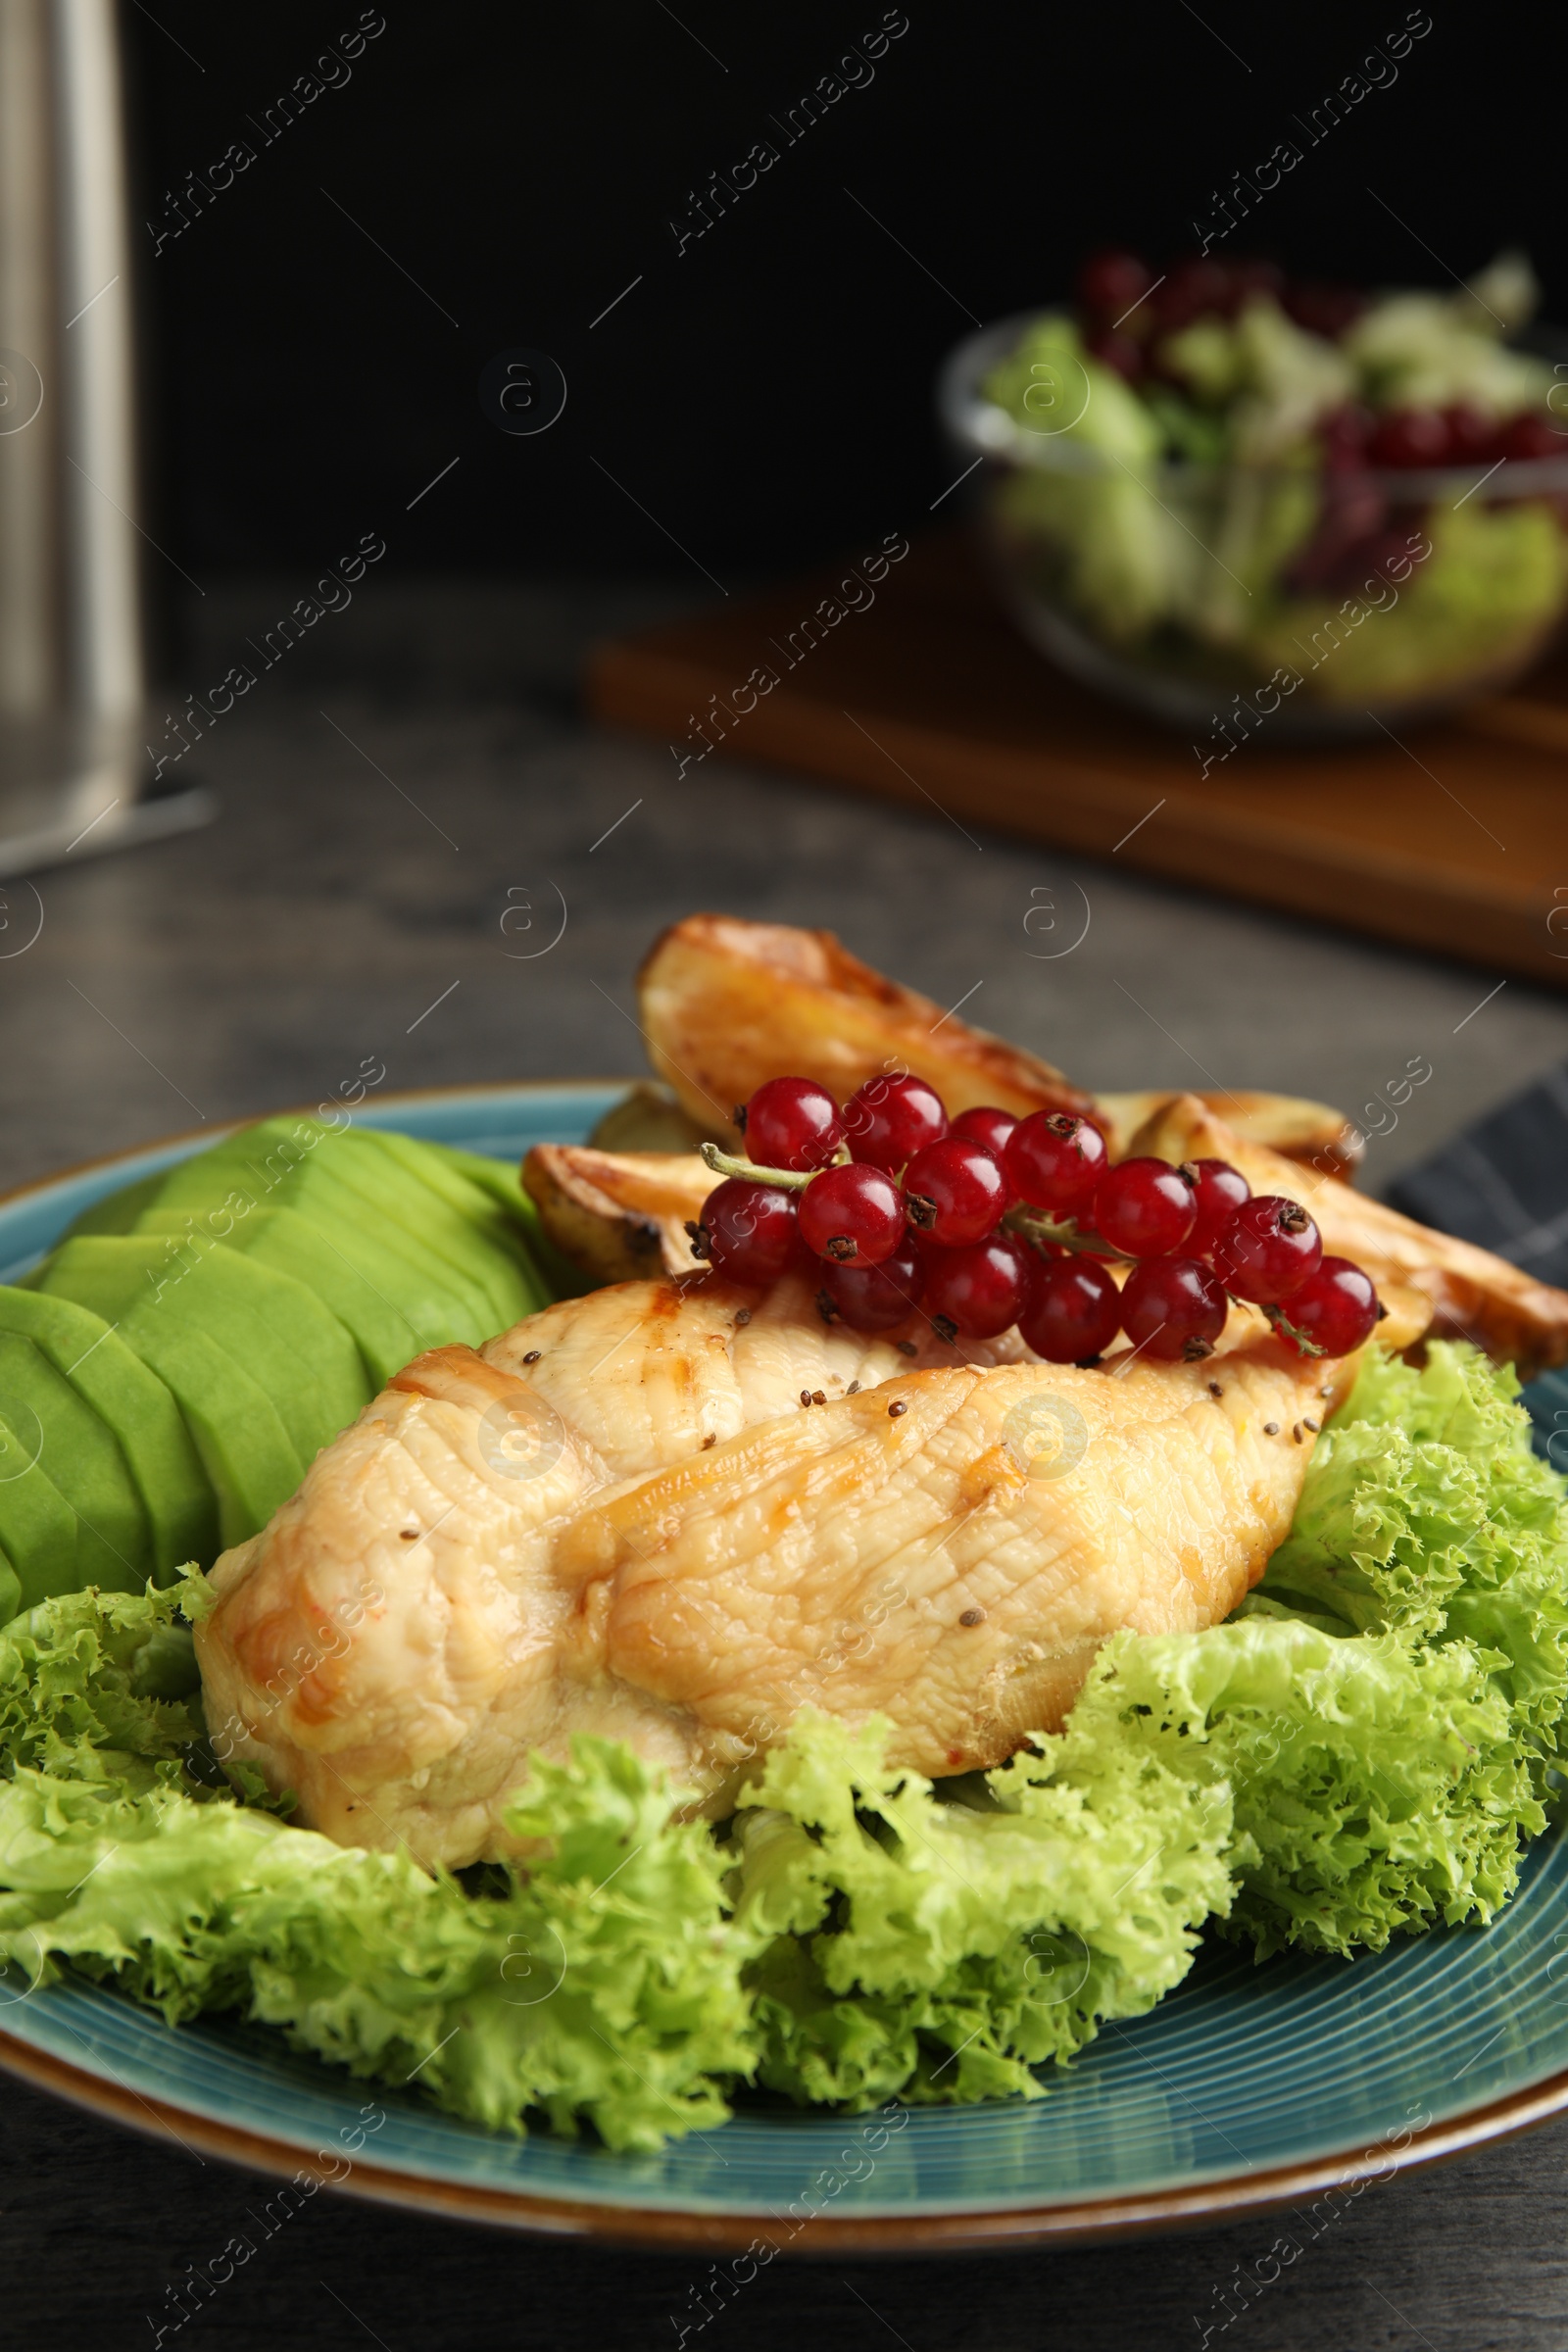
944,1949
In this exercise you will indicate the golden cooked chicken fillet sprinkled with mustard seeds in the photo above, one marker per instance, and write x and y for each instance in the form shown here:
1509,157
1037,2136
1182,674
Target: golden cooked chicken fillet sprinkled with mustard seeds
622,1518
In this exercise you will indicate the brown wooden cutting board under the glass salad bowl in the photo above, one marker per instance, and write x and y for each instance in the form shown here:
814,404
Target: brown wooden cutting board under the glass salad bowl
1452,838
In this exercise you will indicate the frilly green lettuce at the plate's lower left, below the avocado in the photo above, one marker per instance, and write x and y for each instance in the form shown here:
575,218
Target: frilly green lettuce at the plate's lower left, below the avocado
598,1986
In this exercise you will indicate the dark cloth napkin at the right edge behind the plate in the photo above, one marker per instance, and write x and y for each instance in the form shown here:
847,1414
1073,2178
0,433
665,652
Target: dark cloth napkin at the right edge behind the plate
1503,1182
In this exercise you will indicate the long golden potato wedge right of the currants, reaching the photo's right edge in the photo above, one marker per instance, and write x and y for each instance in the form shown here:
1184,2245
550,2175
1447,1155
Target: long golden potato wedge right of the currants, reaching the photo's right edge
1470,1292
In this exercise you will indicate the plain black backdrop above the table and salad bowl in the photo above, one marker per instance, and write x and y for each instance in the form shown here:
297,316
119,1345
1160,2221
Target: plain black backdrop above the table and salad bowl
763,394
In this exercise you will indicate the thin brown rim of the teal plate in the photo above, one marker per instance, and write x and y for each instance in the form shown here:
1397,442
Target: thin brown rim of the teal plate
683,2229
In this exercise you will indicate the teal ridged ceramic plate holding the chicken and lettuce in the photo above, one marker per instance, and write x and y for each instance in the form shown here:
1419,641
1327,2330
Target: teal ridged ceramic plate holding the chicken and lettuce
1247,2087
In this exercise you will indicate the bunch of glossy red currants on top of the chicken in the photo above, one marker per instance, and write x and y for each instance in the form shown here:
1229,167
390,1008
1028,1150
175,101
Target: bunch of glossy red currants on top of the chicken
991,1222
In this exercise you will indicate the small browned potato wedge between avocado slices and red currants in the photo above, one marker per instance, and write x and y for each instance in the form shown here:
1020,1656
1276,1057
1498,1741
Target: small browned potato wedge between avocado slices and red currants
619,1217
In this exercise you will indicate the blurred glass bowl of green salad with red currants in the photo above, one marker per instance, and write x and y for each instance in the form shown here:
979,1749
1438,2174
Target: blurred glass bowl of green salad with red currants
1235,500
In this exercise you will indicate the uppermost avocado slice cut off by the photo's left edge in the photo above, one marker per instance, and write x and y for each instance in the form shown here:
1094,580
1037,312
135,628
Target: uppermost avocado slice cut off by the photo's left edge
142,1415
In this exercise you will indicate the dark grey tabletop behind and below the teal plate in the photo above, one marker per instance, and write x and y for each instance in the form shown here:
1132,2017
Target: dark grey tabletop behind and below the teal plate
384,801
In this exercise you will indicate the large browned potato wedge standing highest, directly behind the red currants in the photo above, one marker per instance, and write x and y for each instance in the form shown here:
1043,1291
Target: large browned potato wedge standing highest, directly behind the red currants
728,1005
